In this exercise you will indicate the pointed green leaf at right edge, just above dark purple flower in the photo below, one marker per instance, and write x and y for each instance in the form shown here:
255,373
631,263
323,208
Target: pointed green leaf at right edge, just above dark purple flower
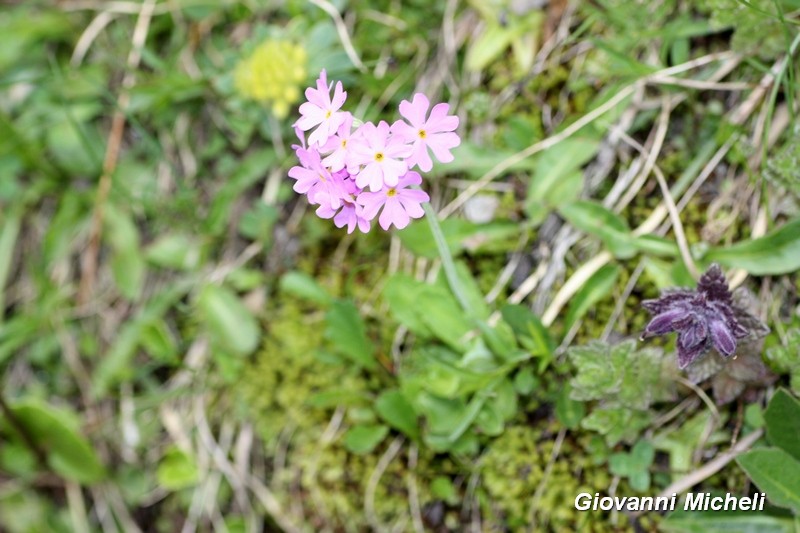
778,252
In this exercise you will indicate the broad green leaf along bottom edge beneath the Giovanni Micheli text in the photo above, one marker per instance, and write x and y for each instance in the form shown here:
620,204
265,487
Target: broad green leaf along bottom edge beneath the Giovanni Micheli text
721,522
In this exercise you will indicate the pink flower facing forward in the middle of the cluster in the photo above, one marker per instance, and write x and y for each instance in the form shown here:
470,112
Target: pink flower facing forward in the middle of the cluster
382,154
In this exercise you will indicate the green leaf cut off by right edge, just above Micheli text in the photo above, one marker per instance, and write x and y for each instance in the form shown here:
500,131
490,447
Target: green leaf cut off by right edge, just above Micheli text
775,472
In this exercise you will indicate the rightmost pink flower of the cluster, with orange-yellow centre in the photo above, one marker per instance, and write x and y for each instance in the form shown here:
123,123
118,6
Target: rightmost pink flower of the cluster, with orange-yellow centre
437,133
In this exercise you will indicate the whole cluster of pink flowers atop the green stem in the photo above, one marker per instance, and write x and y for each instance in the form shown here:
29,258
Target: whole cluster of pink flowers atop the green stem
352,174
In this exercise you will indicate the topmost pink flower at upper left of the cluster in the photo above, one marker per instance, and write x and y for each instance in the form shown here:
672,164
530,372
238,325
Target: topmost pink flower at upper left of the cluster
322,111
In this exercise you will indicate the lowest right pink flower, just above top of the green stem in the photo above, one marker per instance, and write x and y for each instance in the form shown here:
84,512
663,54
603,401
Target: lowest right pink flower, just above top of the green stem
400,204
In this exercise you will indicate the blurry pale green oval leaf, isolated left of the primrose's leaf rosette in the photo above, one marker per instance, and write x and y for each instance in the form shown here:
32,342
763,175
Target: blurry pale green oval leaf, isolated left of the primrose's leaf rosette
229,323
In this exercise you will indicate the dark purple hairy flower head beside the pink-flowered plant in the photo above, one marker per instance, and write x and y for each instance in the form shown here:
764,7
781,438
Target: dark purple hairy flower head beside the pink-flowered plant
703,318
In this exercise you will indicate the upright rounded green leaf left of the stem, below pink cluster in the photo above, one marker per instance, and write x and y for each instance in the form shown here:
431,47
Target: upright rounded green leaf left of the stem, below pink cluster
347,333
